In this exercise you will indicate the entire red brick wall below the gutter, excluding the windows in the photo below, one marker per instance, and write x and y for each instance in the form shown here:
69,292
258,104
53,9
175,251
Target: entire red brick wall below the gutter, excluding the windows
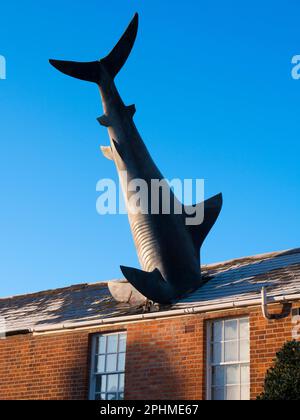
166,359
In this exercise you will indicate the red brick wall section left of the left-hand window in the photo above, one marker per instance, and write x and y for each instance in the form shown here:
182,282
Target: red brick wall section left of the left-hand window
46,367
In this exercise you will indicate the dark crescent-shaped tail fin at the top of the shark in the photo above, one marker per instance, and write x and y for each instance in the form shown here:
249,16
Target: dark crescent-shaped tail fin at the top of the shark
113,62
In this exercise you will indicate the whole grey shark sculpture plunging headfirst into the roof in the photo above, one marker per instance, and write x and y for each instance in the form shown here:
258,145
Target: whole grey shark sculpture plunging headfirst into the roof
168,250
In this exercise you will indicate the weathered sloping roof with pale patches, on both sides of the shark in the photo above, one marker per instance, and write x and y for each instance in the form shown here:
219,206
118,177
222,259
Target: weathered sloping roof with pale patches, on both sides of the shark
227,282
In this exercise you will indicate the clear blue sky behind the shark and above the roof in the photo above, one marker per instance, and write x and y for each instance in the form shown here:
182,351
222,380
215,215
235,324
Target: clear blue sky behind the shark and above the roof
215,100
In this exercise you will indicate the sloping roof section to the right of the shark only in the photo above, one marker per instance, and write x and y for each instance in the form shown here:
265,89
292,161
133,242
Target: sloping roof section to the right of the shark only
243,279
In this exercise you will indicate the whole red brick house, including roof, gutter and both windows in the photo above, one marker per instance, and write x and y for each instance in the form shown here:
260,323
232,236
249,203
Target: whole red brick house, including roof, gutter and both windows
78,343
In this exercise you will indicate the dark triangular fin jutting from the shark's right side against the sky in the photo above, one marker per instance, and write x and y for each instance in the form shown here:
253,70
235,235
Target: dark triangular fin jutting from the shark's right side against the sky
212,209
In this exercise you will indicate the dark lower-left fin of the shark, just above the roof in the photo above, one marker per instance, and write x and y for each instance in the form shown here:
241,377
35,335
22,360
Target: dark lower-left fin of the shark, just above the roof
151,284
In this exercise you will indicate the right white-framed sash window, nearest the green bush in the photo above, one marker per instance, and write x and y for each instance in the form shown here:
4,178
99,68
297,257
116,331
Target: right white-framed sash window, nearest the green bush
229,360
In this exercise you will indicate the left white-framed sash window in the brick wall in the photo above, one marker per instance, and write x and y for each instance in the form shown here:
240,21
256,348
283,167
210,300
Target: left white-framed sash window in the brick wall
108,367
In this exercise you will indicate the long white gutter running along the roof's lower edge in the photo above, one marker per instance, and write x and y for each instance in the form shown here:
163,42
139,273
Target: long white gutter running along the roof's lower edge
150,316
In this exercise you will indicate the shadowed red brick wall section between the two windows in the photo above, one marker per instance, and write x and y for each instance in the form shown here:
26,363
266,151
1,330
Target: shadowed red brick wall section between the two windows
165,359
